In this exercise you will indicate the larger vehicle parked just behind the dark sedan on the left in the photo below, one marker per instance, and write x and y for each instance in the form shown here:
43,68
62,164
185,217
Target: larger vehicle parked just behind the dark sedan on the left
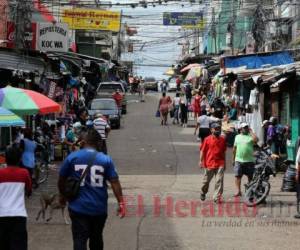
106,89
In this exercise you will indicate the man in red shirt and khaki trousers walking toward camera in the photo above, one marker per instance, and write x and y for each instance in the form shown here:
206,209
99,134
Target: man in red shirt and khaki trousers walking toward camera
212,159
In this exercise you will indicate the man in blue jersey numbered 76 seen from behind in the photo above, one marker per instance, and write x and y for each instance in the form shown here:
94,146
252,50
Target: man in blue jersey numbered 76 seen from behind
88,211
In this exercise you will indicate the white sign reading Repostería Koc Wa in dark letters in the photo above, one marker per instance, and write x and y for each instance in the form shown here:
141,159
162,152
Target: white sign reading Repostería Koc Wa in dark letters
53,37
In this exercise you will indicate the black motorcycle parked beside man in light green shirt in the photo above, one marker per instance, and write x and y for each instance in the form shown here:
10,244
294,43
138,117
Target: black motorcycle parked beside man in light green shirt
257,190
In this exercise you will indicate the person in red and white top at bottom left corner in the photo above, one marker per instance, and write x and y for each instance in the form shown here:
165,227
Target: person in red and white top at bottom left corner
15,183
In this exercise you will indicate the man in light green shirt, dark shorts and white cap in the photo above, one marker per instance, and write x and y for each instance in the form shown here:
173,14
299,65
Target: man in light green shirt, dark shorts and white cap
243,157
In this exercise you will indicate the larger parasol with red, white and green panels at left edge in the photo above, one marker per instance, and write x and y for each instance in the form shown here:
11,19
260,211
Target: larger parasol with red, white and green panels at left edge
26,102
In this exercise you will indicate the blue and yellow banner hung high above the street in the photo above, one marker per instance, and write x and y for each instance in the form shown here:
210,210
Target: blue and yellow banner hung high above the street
185,19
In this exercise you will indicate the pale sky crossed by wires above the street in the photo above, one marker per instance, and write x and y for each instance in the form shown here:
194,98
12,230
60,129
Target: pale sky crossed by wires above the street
163,48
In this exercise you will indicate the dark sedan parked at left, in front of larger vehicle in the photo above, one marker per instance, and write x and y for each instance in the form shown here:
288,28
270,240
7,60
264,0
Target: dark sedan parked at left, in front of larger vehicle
107,107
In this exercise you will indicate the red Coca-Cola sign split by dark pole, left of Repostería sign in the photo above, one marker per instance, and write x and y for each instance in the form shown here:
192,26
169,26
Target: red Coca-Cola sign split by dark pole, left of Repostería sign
30,36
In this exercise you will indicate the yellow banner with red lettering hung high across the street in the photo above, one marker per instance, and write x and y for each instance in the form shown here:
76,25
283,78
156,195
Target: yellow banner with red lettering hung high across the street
91,19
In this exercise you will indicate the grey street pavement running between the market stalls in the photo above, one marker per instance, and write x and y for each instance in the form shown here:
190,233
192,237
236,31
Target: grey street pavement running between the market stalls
159,173
